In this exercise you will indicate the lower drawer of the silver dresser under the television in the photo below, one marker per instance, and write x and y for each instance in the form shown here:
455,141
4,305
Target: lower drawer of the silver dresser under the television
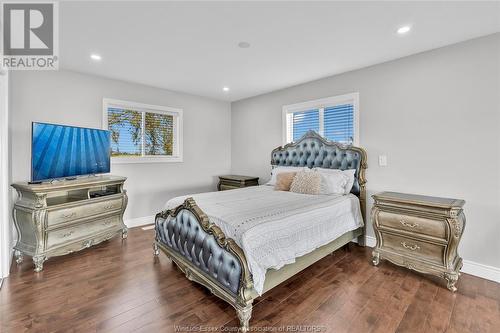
68,234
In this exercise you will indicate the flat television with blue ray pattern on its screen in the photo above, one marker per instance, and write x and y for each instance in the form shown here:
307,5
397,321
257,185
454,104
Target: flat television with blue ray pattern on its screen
59,151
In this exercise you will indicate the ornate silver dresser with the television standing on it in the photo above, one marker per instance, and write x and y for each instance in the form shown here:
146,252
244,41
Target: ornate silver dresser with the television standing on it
62,217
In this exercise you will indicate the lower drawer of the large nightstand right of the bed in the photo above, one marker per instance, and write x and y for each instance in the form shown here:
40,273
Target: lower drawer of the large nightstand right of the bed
407,246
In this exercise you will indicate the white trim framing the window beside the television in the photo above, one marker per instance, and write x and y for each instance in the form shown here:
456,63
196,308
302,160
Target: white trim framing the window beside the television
177,113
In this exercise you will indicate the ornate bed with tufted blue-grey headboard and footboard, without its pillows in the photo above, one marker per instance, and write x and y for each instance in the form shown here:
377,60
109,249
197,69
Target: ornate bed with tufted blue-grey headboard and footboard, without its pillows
242,243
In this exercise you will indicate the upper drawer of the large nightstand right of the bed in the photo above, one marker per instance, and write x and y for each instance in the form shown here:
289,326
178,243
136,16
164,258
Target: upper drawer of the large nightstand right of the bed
434,228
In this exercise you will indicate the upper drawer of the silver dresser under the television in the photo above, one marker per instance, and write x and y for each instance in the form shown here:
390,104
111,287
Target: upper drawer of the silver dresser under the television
69,214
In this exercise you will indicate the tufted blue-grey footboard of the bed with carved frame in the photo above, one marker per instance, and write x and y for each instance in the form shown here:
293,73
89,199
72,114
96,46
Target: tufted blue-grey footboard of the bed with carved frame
206,256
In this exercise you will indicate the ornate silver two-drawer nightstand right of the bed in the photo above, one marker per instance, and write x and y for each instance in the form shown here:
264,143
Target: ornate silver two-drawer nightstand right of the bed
419,232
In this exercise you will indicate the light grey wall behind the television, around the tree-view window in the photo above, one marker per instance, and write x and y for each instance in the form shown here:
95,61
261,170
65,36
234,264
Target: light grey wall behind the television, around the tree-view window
76,99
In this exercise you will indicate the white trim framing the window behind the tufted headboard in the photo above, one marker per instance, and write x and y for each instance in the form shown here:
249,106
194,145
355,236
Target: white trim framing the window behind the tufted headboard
321,104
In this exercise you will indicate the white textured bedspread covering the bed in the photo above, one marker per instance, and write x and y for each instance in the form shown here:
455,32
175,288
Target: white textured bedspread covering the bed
275,227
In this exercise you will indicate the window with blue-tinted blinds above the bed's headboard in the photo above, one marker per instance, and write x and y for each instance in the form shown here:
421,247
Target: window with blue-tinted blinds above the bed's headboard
334,118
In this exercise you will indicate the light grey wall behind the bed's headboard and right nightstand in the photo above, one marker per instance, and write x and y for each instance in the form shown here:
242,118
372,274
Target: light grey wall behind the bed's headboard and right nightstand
437,117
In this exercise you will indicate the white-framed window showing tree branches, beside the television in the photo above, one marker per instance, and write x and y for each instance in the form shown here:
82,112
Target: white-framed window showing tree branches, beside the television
142,133
